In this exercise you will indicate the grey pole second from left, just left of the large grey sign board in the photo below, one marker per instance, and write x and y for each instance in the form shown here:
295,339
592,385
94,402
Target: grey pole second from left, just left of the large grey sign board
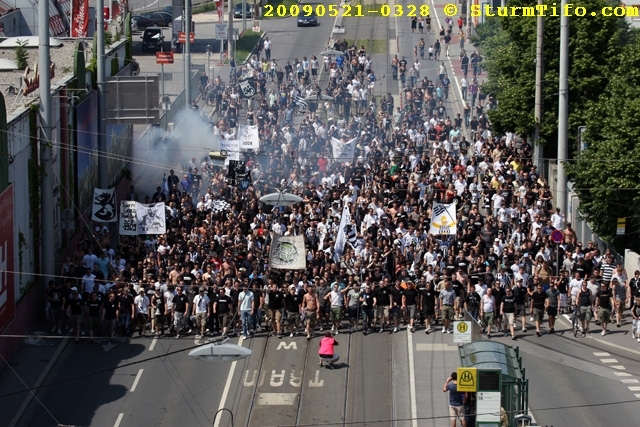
103,180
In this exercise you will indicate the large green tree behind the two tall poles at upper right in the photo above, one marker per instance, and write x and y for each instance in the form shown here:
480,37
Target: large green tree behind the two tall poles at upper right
509,46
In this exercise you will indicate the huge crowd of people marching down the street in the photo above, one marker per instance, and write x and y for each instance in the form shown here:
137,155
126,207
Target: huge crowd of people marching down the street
210,273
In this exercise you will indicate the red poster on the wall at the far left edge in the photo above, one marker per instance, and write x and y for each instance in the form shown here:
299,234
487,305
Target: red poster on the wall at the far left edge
7,290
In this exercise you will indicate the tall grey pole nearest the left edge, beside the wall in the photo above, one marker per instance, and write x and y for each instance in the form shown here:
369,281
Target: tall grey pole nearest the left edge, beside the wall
47,182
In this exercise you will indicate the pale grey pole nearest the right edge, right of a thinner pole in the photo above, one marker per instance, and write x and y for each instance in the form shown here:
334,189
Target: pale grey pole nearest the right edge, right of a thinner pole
563,111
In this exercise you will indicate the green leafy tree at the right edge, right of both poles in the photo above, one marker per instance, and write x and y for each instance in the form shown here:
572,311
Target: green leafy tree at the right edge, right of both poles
606,175
